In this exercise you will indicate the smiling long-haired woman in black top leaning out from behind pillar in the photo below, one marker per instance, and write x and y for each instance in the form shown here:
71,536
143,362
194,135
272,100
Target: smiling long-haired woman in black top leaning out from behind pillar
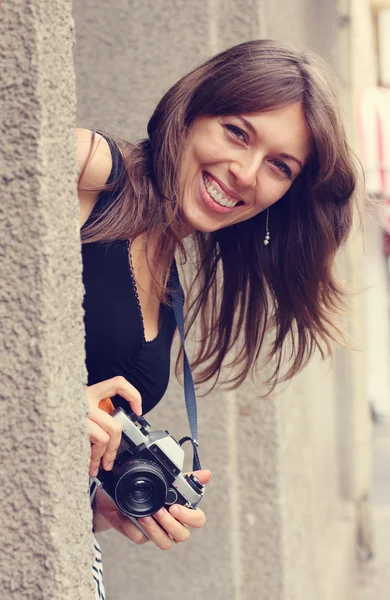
247,157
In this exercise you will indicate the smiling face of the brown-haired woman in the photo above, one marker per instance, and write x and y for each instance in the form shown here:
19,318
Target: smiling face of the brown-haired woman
233,167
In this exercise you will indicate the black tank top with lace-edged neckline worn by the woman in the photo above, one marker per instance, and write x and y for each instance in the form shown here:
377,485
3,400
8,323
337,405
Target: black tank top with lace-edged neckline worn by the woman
115,339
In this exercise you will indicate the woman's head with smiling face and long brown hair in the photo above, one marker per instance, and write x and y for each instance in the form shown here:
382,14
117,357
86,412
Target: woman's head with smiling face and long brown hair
255,127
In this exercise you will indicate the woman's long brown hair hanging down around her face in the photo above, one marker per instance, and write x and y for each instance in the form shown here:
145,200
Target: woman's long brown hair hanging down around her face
242,288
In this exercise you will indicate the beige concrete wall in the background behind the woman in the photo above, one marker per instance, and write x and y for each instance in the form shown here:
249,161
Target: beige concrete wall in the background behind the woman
279,526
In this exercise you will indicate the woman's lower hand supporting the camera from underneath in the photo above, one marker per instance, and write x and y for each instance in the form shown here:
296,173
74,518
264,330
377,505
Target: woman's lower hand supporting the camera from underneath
164,528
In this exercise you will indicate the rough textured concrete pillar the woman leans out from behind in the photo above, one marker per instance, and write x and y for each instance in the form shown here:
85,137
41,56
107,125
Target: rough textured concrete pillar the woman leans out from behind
45,541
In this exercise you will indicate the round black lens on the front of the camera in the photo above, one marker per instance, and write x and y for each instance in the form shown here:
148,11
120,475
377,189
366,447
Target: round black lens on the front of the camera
140,488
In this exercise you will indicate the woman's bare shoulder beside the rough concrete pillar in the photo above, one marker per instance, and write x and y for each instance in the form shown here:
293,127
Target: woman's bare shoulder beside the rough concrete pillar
94,164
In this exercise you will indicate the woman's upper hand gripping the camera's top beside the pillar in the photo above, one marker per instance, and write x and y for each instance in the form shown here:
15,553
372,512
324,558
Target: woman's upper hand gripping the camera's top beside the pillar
104,431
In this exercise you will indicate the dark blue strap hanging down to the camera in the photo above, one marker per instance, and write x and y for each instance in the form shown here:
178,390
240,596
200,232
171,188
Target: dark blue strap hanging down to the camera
189,389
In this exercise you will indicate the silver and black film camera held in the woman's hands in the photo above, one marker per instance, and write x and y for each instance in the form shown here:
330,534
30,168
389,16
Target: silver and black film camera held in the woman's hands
147,472
